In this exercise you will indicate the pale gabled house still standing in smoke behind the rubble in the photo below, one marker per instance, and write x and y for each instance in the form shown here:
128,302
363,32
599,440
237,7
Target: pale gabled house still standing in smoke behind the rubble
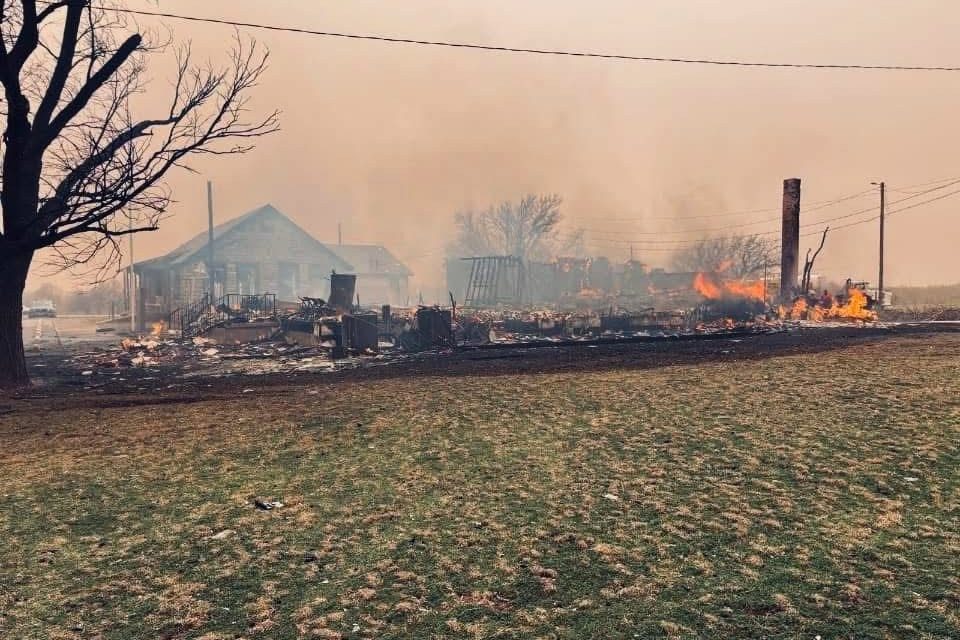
262,251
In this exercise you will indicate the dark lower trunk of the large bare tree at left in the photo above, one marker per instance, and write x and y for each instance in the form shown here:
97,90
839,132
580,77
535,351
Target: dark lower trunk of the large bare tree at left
13,279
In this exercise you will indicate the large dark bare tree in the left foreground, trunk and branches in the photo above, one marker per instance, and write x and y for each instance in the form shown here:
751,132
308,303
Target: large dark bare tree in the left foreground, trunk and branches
79,170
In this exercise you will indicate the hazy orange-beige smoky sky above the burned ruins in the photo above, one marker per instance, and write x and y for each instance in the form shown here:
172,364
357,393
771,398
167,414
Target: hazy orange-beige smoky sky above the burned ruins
391,140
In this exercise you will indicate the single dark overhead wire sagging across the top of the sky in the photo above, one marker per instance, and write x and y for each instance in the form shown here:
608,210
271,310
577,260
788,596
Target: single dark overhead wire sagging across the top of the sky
548,52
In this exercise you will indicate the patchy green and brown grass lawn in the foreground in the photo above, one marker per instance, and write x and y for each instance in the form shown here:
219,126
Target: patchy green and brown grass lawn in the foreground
787,497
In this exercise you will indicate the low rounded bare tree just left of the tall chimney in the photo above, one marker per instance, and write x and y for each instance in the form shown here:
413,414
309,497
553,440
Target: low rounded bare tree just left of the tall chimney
737,256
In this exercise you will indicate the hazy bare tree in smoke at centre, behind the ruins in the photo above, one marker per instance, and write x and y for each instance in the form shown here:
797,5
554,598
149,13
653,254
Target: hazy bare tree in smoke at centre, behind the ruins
527,229
